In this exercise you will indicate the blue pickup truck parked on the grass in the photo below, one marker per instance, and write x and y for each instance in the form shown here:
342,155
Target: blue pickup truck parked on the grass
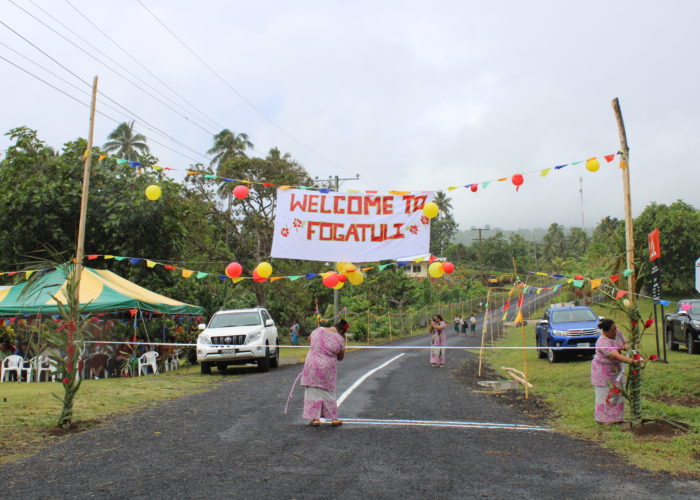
567,326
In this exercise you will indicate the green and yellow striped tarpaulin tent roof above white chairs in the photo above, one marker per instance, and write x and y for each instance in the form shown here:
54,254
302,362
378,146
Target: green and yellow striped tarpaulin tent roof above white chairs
100,290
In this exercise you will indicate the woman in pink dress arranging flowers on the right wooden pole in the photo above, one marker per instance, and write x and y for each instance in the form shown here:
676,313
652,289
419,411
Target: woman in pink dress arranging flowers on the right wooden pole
606,373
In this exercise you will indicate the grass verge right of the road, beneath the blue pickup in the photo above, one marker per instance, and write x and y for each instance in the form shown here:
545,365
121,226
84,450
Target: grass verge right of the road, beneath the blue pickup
670,391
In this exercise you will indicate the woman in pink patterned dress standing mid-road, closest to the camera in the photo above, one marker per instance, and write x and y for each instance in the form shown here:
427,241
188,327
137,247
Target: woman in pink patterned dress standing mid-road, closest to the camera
326,348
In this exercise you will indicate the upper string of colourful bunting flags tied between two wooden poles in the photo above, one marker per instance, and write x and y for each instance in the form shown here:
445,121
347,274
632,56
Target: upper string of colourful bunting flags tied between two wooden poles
591,164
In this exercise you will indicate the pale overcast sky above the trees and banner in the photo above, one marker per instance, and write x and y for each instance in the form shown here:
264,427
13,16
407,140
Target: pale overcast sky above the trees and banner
409,95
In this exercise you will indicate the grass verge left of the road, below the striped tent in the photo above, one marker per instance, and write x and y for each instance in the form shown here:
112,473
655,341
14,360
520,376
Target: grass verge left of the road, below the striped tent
29,411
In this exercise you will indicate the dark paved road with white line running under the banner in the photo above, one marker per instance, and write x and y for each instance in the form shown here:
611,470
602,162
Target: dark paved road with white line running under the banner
234,442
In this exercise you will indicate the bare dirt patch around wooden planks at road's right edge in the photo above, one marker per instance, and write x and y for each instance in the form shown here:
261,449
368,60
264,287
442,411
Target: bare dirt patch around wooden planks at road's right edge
534,406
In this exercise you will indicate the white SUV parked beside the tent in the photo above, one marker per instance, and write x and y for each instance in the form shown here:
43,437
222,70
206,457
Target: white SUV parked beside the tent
236,337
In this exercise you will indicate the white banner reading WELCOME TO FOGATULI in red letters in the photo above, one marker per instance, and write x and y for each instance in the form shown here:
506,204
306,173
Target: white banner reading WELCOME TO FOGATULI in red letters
350,227
